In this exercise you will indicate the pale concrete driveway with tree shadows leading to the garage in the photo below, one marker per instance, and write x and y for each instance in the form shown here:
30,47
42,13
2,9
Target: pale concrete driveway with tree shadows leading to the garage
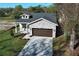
37,46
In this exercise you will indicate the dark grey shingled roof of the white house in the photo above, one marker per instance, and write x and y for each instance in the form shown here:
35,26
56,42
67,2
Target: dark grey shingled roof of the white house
49,16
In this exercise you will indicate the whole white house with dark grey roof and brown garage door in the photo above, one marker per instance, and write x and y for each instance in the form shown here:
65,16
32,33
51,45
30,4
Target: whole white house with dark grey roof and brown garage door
37,24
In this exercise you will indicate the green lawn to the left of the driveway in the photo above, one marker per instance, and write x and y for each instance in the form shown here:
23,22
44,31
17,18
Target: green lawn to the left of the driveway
9,45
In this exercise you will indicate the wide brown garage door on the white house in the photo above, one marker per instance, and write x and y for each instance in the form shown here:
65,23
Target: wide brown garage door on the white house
42,32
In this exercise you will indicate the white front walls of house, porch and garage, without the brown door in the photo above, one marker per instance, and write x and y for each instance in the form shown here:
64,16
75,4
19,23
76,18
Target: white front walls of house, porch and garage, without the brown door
41,24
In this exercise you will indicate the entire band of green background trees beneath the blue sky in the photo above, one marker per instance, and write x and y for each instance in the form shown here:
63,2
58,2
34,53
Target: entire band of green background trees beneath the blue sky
18,10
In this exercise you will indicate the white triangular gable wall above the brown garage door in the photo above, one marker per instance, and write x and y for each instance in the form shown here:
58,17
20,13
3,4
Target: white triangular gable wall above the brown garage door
43,24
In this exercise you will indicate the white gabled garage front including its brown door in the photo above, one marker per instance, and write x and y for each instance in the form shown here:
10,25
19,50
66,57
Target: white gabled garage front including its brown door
43,28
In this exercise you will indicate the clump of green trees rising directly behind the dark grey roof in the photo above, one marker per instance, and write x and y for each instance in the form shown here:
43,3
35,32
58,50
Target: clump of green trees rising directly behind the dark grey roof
39,8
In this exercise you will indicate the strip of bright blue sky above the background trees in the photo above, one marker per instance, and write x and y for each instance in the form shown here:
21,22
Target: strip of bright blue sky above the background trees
25,5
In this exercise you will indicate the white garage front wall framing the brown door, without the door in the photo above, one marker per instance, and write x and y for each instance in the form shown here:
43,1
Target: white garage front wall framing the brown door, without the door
44,24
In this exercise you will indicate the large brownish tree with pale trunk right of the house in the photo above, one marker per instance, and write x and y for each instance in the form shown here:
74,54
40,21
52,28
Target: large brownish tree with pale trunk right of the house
69,14
